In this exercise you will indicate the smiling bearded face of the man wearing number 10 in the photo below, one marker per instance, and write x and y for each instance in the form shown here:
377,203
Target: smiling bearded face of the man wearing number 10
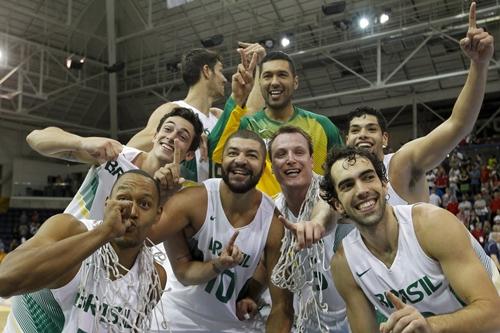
242,164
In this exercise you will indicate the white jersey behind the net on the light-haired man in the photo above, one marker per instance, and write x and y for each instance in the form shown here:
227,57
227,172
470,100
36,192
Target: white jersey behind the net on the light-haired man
336,316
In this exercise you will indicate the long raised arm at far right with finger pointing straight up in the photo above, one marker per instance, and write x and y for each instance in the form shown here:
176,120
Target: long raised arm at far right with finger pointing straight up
429,151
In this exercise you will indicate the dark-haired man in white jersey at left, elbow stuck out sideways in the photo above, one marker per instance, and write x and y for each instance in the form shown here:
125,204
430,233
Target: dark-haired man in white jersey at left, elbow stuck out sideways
176,139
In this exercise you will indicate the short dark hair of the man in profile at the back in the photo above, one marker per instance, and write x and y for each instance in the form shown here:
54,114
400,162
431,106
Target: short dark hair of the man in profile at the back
193,61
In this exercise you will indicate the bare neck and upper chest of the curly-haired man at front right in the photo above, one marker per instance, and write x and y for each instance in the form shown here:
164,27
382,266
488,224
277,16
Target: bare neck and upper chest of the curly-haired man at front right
382,238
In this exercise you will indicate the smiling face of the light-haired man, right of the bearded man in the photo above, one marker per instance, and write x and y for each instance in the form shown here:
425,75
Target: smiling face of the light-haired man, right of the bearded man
292,161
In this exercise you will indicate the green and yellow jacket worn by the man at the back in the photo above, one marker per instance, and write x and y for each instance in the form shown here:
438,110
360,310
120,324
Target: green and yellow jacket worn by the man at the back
323,132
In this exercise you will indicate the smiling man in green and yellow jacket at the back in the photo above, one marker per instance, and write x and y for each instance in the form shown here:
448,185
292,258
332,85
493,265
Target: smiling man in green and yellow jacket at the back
278,81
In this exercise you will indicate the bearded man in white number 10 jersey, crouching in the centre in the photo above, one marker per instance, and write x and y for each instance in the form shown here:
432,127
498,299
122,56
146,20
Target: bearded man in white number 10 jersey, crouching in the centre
202,295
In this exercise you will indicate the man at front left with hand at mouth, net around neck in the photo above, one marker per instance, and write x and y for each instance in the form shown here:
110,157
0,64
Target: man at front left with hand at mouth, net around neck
60,275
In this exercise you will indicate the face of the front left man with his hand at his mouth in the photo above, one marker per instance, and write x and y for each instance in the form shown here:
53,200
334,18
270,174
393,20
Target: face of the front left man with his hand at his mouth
145,211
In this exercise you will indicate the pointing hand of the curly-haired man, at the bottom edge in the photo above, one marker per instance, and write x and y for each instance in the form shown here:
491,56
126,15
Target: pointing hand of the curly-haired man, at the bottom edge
406,319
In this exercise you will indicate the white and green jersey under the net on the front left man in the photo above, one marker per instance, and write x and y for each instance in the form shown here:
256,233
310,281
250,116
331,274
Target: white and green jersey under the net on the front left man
64,309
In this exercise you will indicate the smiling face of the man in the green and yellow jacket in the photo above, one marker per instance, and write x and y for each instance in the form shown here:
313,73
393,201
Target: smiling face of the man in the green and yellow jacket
277,84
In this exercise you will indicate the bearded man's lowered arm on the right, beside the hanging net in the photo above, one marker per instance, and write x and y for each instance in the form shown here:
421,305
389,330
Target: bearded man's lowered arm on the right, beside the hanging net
281,317
